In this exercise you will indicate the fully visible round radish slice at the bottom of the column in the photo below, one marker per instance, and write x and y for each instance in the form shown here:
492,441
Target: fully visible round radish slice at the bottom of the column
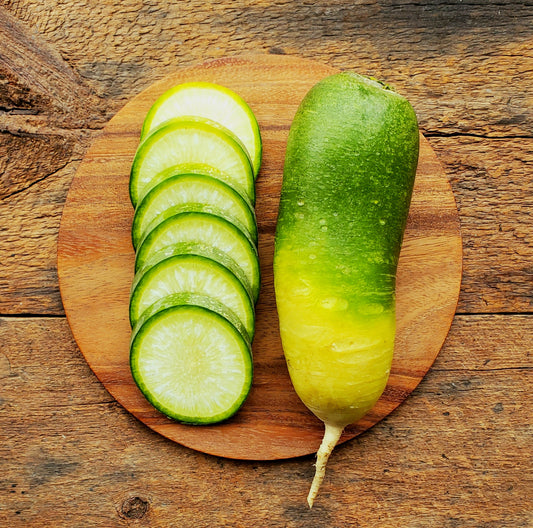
191,364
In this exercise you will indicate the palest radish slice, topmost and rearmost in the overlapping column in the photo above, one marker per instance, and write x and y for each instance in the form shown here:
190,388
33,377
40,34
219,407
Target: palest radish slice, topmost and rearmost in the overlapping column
211,101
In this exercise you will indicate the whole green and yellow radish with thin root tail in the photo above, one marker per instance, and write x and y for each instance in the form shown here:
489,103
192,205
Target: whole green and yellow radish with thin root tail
349,172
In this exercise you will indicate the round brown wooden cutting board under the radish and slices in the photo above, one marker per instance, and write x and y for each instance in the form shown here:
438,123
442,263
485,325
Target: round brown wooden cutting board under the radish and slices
95,266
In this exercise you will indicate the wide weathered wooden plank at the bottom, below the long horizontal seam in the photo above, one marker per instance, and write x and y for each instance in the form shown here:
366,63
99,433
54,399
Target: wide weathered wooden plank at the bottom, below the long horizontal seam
456,453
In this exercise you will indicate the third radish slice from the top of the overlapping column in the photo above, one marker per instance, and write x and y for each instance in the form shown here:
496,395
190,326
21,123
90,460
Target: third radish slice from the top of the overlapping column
192,192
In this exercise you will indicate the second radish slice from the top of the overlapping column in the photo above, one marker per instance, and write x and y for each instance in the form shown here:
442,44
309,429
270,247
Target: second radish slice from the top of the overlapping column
190,145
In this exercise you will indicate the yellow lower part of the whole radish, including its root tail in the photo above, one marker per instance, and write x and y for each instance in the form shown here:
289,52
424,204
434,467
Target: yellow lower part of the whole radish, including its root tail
348,369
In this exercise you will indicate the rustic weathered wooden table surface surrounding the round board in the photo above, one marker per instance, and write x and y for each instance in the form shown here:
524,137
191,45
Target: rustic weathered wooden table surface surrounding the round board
456,453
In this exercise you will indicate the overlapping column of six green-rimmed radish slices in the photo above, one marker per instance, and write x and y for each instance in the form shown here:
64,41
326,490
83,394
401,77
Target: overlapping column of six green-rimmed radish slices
192,303
